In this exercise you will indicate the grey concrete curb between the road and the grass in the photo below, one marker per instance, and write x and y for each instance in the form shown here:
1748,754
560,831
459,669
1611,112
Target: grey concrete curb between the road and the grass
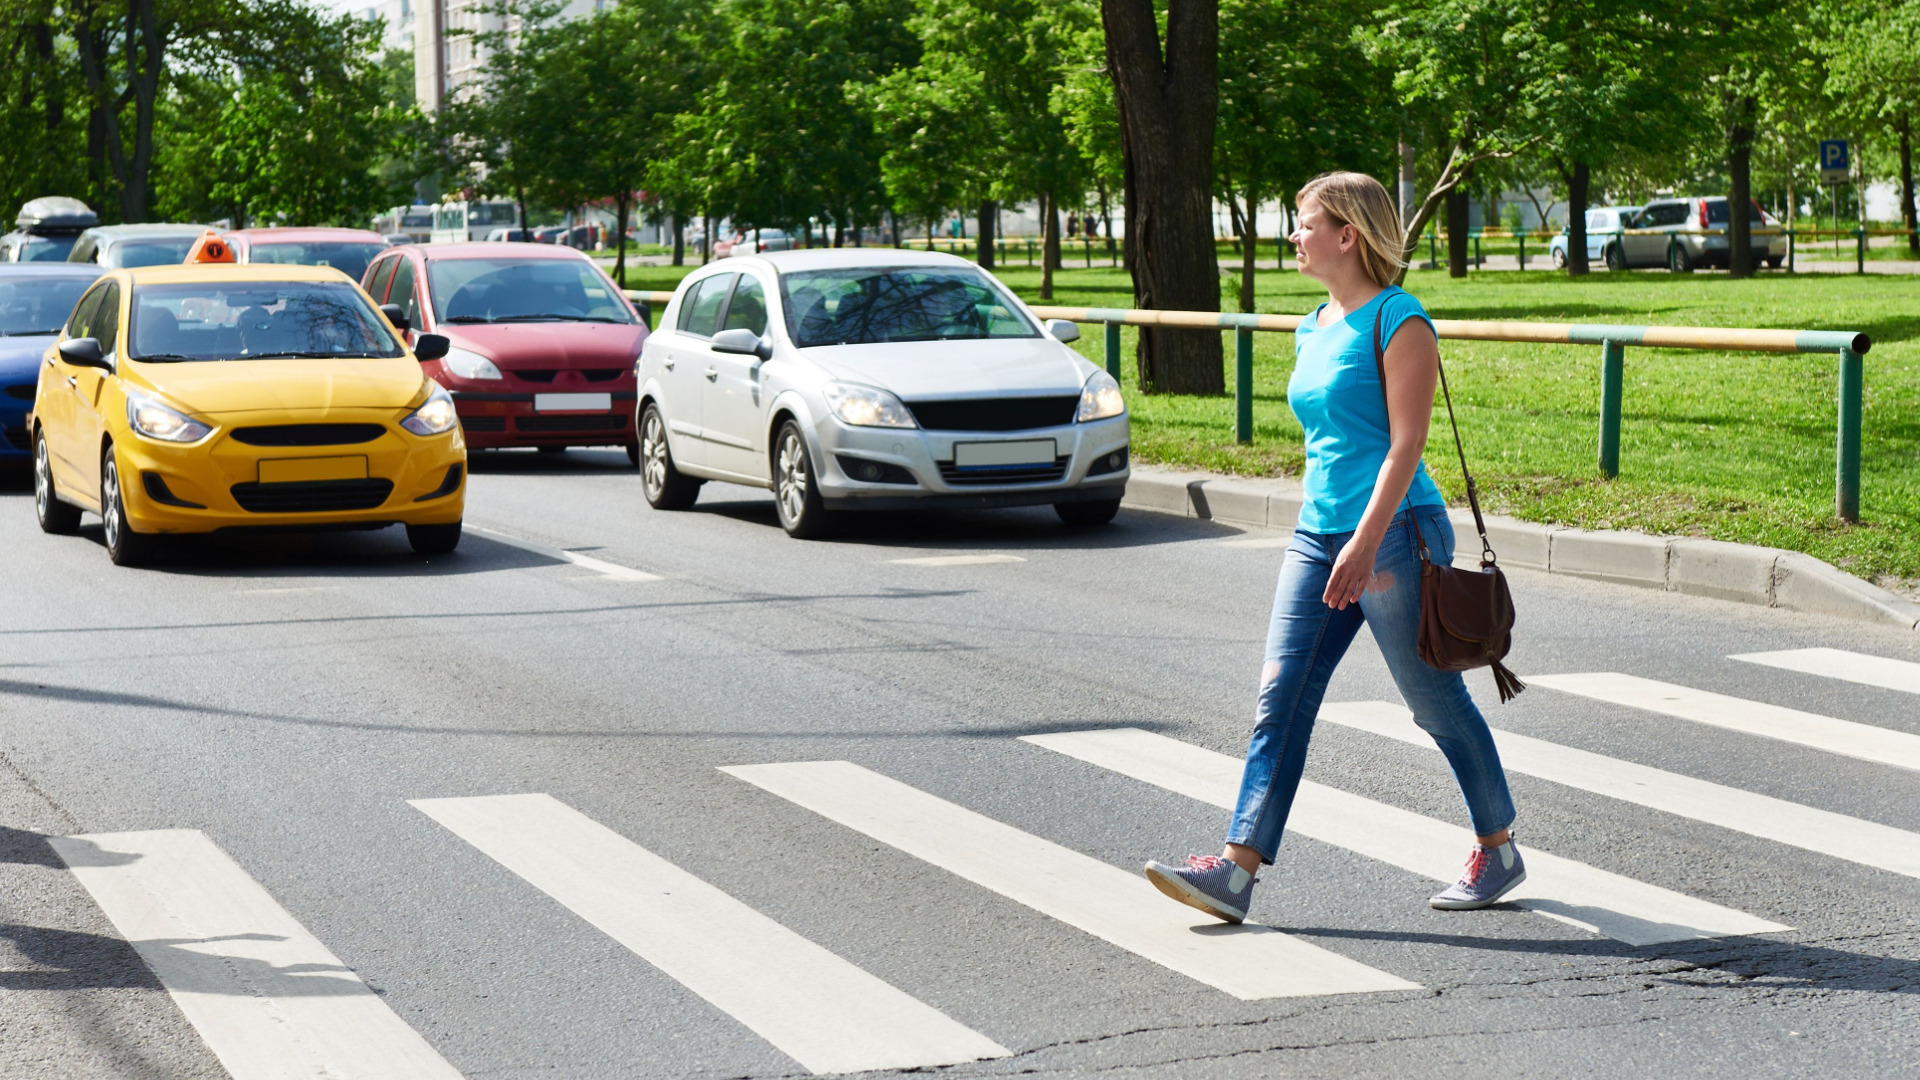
1673,564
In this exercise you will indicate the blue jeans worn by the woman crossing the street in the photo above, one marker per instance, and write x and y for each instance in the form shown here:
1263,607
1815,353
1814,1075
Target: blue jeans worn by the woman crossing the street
1307,643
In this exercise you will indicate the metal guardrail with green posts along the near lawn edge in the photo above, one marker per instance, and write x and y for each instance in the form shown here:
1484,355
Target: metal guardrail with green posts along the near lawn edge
1612,339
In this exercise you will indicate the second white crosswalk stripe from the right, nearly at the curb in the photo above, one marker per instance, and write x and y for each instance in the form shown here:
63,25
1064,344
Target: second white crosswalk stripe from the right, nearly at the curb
1737,714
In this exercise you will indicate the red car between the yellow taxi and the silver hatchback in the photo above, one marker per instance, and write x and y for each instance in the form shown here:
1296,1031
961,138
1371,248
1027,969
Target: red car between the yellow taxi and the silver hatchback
544,343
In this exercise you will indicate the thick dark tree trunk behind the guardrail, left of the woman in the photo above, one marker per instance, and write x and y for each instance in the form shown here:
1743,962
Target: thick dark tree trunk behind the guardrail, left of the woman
1168,103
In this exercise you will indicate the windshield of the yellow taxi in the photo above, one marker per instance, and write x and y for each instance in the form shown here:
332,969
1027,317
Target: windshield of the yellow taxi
256,320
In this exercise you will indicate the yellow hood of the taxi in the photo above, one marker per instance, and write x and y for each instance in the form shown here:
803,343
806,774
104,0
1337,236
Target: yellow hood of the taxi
295,385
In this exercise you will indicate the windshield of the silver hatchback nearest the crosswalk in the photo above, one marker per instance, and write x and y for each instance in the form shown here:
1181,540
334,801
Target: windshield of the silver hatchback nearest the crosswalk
898,305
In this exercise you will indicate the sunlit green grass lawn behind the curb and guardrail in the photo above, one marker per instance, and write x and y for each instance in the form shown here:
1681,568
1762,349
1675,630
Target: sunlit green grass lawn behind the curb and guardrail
1733,447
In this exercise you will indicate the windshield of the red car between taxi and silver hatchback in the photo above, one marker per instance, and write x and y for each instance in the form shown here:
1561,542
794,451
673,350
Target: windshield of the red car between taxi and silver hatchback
523,291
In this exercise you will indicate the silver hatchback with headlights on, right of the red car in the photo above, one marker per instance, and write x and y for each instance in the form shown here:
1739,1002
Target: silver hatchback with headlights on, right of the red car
875,380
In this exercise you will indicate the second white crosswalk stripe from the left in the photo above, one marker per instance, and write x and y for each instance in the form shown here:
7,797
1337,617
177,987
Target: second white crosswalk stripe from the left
811,1004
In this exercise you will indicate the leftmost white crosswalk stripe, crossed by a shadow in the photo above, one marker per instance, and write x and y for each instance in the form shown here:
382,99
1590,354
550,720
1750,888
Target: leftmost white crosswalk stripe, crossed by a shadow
270,1000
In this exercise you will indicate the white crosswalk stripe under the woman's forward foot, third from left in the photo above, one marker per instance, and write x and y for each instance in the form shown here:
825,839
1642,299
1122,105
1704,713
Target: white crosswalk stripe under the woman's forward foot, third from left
1118,906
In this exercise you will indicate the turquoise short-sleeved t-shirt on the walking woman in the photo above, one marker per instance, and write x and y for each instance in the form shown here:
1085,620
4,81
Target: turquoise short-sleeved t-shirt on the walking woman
1337,399
